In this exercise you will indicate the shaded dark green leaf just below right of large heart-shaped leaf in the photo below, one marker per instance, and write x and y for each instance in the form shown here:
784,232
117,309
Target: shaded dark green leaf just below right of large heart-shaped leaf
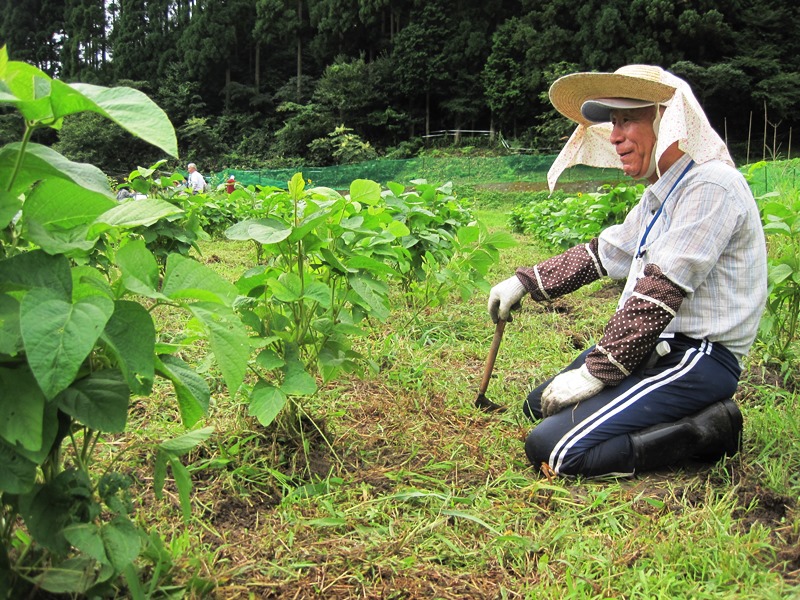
99,401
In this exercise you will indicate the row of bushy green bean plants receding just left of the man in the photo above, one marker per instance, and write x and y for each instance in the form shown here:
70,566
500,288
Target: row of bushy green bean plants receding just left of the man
326,265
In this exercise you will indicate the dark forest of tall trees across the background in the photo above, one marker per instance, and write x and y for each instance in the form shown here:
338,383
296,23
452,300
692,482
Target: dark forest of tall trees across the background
254,83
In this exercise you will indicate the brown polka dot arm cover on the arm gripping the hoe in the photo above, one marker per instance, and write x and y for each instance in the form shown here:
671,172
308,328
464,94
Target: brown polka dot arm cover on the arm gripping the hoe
564,273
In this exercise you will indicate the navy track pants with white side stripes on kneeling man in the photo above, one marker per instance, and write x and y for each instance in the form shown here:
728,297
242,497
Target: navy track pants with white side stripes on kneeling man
591,438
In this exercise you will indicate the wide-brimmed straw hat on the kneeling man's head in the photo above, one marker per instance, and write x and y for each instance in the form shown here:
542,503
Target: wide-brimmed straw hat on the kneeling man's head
638,85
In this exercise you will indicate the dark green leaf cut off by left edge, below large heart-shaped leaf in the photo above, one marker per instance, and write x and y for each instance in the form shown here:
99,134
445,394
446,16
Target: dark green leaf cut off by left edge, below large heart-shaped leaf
22,408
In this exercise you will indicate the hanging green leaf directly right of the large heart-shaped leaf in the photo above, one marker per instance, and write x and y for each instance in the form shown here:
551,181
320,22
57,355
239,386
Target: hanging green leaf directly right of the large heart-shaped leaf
131,336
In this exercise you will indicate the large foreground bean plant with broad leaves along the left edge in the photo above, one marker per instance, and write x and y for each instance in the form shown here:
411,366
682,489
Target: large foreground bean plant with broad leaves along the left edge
78,340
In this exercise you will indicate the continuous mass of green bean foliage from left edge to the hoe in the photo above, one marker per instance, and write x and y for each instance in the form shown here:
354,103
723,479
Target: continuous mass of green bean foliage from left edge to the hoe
82,277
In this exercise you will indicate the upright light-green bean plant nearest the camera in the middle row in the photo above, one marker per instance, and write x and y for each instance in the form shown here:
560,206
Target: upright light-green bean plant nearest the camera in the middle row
324,264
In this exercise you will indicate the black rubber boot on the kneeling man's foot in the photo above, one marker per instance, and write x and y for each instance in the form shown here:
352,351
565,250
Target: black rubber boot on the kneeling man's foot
708,435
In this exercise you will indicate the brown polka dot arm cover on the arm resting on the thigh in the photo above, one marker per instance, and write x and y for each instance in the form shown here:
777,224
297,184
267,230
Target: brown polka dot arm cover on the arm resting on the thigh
633,331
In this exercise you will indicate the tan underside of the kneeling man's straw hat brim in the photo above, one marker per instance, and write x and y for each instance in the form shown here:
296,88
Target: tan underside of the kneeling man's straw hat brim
569,93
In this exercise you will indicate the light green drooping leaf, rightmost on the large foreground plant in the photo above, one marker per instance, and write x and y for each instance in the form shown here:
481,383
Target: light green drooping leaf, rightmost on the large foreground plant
228,339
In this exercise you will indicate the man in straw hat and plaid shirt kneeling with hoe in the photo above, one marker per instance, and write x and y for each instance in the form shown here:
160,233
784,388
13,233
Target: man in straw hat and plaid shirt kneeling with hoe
657,387
